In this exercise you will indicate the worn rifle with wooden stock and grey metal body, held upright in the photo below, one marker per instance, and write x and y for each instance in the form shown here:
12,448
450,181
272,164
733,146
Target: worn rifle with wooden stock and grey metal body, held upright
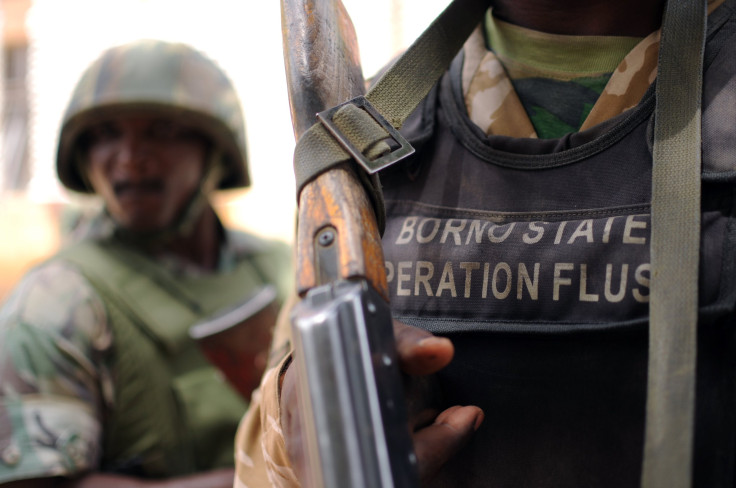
350,388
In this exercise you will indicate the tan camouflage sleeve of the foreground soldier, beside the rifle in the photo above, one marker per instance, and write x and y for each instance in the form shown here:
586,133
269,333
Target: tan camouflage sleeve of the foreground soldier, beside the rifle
260,452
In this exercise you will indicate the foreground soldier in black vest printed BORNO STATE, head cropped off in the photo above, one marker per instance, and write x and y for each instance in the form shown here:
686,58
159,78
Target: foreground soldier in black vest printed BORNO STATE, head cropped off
519,234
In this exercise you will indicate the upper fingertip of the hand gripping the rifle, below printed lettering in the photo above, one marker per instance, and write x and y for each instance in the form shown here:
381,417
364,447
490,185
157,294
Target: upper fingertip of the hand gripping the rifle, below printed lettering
420,352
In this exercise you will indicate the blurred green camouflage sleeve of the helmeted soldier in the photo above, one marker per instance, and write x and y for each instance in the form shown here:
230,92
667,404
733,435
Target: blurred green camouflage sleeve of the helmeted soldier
53,336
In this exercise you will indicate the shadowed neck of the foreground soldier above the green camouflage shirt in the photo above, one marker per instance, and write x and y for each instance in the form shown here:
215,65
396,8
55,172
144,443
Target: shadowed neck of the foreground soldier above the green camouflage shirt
634,18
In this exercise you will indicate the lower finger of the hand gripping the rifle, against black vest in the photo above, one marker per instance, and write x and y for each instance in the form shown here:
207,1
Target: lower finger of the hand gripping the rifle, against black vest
438,442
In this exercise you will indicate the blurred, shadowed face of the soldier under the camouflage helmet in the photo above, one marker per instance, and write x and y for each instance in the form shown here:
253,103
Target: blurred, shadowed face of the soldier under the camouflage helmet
146,168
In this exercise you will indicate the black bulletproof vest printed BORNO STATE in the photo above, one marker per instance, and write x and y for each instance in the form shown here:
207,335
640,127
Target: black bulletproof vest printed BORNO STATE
533,256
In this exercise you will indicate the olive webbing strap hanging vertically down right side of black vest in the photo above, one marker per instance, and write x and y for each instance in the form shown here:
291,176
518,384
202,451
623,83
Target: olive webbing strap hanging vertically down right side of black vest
673,307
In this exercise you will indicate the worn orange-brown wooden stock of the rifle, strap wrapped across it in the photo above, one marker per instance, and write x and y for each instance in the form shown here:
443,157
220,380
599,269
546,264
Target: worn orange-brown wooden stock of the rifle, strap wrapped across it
337,236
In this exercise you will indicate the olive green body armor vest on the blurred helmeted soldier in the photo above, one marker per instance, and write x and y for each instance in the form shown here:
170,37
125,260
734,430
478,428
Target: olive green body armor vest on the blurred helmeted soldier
172,412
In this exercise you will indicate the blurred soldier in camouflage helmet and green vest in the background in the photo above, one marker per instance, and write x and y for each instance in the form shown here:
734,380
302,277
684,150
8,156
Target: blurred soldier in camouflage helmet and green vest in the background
100,382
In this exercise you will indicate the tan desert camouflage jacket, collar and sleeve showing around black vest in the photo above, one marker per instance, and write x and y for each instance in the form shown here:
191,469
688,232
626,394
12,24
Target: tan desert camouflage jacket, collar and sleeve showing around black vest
494,107
